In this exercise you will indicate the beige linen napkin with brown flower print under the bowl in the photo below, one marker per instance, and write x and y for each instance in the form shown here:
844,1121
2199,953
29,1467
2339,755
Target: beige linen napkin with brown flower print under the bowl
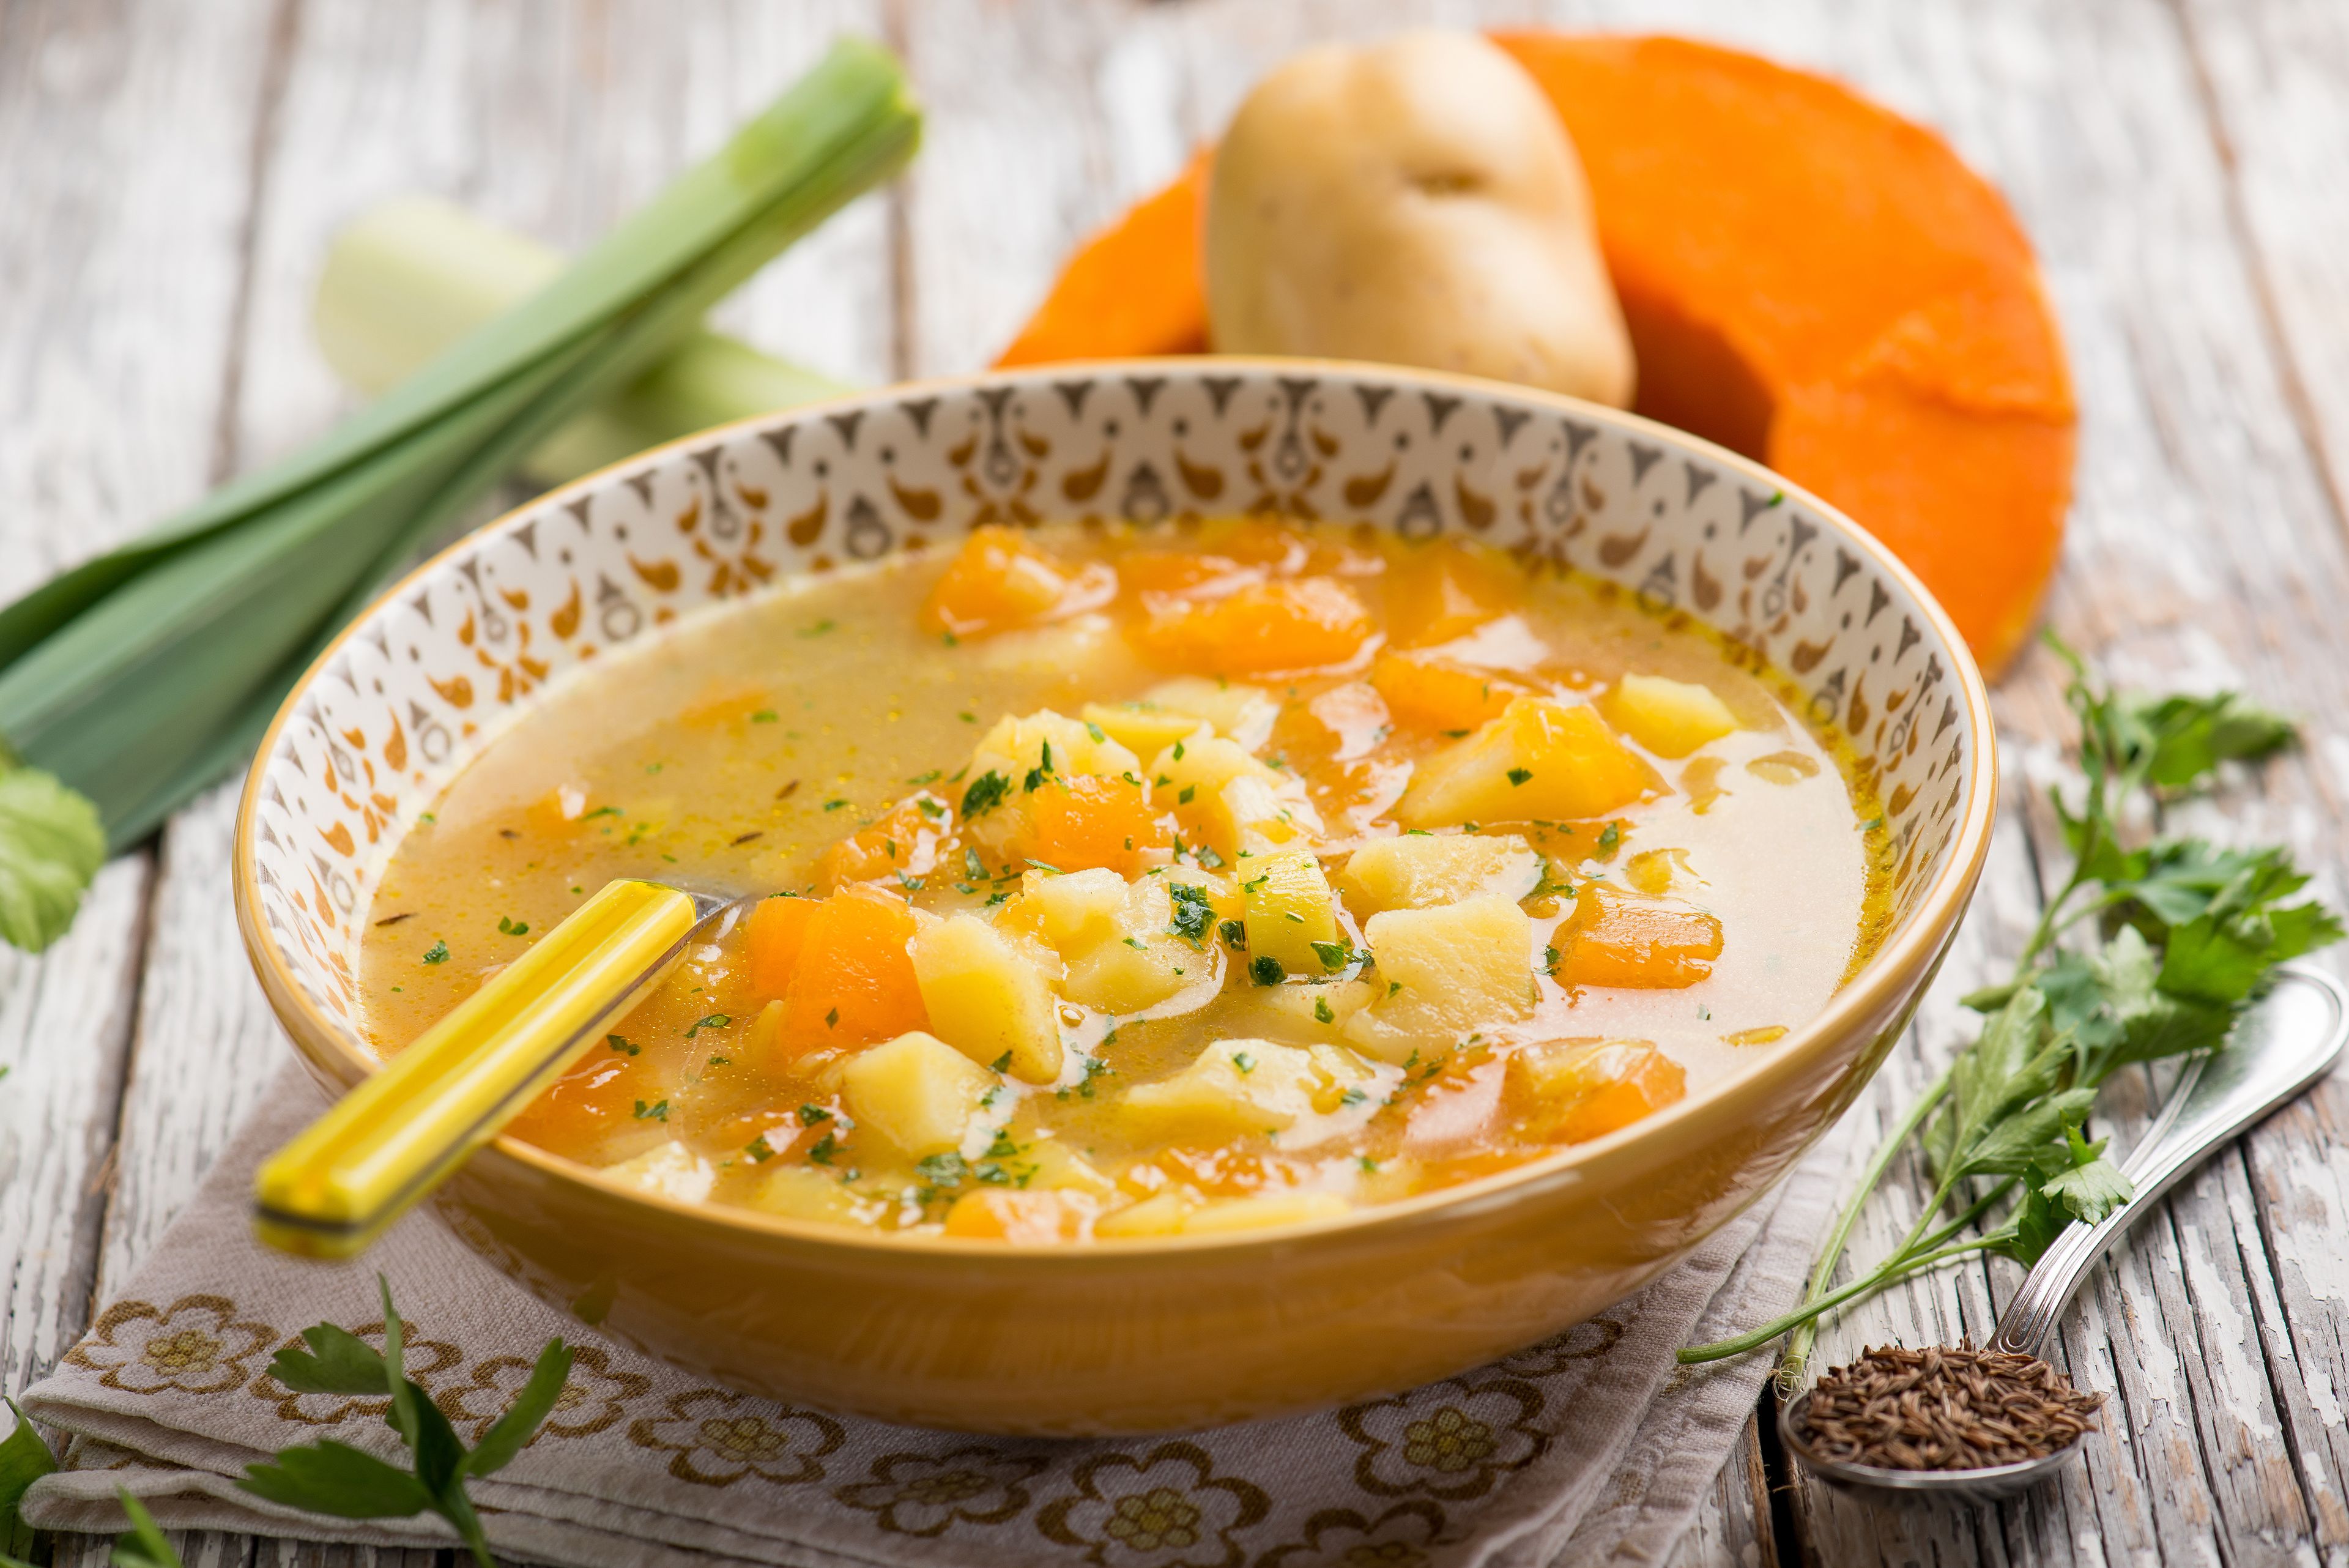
1582,1449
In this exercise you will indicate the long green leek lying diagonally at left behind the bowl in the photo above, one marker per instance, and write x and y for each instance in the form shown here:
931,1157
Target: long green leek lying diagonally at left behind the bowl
147,674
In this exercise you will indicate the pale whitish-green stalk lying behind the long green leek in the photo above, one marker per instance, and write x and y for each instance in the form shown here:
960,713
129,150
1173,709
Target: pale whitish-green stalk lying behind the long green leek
415,274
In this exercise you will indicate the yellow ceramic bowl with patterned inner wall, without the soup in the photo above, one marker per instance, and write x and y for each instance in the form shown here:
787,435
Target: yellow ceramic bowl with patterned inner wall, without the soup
1152,1334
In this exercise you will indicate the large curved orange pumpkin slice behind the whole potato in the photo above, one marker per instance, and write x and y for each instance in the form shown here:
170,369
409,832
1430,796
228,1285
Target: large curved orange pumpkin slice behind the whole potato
1808,279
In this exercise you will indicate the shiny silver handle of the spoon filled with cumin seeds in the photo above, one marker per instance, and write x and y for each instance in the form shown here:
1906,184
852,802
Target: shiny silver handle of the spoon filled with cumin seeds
2284,1045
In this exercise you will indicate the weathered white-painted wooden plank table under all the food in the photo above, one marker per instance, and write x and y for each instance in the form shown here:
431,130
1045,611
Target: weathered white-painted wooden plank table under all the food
170,173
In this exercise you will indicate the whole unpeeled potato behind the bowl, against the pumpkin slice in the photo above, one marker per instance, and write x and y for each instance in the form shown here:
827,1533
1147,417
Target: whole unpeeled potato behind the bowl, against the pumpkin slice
1418,203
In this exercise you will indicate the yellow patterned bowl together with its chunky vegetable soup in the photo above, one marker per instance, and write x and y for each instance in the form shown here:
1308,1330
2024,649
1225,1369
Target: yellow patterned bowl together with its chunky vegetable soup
1281,880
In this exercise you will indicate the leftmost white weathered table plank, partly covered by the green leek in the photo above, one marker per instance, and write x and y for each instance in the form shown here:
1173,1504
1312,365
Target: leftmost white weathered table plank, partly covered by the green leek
126,142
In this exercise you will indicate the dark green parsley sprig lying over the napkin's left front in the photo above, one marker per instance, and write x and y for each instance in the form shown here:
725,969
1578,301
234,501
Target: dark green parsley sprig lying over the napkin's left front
346,1482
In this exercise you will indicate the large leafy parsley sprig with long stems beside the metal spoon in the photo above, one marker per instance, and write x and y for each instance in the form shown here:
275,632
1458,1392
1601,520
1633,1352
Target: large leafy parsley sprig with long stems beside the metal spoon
2186,937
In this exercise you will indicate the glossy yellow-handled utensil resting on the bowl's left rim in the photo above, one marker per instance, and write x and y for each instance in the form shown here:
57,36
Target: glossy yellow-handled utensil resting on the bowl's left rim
401,1134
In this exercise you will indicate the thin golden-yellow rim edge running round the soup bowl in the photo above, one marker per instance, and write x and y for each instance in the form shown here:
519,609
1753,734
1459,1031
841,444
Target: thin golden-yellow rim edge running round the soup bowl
1916,946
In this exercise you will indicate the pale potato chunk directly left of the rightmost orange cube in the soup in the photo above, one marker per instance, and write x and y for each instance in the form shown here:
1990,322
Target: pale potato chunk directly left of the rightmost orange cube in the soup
1451,972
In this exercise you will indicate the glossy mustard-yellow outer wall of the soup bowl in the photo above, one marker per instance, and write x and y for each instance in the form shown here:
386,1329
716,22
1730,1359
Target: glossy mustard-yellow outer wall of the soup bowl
1187,1332
